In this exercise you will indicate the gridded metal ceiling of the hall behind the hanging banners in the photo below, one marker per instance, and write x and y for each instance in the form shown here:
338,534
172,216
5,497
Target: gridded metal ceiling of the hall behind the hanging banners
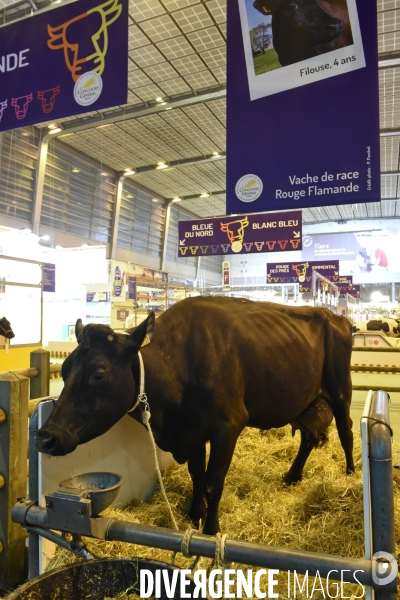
176,107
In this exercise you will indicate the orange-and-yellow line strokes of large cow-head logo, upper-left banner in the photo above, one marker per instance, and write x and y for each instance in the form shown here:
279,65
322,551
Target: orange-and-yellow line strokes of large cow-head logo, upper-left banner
109,12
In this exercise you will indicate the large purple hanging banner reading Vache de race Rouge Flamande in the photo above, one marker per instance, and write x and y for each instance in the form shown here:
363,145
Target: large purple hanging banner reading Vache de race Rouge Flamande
302,104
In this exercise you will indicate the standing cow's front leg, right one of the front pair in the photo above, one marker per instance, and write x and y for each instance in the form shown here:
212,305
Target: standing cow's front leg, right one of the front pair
221,452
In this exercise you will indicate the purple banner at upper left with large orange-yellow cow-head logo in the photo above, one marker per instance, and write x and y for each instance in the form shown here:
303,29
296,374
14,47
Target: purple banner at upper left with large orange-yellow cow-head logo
63,62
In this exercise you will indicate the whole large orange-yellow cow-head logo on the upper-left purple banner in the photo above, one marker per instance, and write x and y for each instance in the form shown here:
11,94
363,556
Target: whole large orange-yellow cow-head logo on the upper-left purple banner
84,39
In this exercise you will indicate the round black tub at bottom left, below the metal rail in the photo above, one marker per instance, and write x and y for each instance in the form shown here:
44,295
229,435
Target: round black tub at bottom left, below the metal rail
94,580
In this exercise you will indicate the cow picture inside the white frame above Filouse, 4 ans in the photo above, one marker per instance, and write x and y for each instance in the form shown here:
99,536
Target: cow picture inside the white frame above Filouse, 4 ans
284,32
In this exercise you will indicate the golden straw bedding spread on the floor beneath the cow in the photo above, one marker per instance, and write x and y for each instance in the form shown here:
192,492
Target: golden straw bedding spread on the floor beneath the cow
322,513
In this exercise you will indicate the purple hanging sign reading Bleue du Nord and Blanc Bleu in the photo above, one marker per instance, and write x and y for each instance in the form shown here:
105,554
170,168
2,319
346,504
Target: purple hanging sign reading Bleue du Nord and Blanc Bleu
241,234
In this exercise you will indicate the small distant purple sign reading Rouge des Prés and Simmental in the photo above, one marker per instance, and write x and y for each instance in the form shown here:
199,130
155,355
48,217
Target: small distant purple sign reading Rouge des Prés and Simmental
301,272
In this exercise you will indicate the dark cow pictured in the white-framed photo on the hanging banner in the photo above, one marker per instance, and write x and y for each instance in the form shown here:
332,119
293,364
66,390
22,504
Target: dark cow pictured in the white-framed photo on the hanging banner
300,28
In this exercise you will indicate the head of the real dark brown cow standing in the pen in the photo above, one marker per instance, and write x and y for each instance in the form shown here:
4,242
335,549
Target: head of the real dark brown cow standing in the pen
99,387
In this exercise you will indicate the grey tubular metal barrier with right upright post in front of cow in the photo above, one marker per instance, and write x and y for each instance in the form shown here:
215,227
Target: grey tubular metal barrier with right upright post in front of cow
378,488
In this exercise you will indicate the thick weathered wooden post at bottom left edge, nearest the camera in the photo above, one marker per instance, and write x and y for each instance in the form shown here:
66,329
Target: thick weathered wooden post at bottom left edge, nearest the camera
14,392
